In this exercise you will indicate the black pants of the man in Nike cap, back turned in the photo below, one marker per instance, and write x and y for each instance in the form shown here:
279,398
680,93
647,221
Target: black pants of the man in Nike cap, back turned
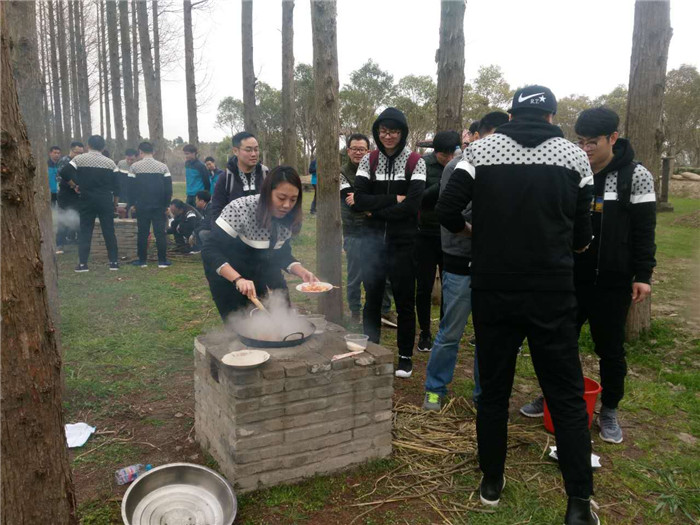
548,319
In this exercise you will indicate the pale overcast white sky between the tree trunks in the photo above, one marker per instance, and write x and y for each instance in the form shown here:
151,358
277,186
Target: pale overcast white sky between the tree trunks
571,46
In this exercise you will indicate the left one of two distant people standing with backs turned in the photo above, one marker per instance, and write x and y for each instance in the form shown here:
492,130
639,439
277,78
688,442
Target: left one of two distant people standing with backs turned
94,177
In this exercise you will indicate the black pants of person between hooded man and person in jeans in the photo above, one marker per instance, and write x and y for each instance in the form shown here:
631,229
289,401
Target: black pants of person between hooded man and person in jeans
428,260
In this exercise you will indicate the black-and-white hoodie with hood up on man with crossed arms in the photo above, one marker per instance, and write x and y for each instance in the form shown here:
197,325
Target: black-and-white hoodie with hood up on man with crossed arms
376,193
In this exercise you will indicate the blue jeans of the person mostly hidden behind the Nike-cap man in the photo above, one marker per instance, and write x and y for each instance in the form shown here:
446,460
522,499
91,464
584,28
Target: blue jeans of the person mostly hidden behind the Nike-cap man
456,298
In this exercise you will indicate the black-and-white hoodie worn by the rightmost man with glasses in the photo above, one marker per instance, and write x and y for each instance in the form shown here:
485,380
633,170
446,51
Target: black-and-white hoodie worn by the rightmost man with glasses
623,247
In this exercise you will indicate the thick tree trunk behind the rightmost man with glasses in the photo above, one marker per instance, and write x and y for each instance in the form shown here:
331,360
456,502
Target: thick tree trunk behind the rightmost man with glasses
650,41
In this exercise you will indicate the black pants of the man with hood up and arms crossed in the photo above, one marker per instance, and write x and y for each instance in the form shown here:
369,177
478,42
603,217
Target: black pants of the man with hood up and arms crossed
396,262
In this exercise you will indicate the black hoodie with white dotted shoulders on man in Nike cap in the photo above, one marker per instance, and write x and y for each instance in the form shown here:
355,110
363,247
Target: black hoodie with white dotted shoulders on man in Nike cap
531,192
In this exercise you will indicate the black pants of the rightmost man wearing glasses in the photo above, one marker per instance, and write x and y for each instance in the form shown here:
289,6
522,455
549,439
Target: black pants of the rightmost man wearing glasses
605,309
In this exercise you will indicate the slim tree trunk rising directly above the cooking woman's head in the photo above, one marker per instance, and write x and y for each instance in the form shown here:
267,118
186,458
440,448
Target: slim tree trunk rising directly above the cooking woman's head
289,127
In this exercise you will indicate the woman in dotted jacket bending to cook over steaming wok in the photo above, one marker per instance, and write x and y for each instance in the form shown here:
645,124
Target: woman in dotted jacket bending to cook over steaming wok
250,243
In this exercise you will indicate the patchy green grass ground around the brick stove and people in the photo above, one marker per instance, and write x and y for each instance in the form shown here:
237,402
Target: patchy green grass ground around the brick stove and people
127,338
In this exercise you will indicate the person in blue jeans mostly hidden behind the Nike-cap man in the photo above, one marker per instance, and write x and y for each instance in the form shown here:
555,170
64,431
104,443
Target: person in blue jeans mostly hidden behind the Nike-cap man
456,294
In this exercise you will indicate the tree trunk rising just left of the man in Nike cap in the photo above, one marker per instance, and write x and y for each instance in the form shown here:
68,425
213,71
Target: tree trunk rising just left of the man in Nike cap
450,60
